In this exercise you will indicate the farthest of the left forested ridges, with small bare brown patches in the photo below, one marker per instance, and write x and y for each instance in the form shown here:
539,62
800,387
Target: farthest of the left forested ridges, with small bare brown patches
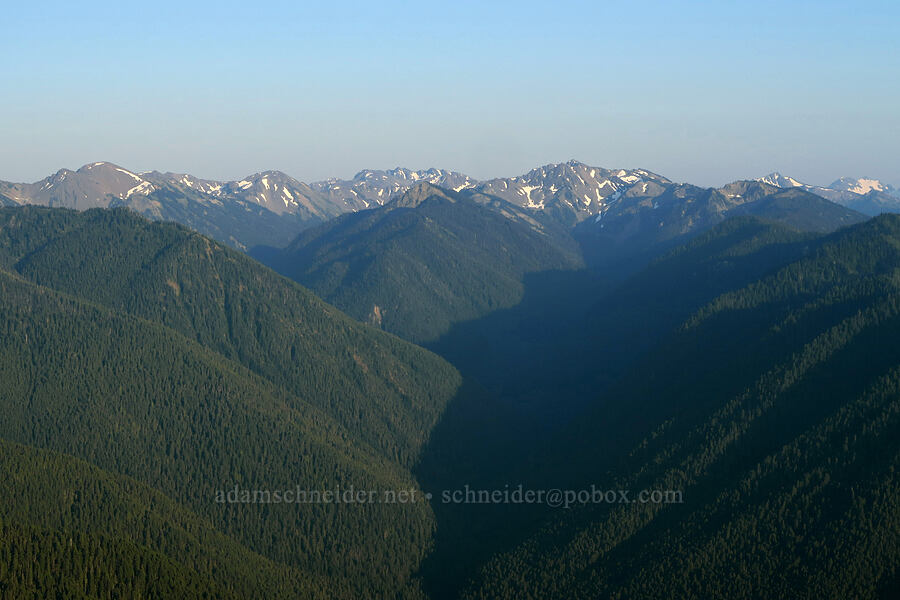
383,390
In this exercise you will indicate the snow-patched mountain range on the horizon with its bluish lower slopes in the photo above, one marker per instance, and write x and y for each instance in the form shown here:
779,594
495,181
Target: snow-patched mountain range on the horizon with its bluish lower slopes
271,208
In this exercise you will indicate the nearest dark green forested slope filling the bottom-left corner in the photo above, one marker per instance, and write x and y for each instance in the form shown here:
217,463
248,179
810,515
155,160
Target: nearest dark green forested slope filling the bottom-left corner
71,517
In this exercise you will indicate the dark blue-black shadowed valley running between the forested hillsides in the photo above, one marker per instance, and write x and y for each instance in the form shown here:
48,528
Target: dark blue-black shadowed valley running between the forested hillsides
554,356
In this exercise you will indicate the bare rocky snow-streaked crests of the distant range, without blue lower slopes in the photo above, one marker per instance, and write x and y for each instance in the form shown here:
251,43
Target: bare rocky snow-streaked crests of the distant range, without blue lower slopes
570,187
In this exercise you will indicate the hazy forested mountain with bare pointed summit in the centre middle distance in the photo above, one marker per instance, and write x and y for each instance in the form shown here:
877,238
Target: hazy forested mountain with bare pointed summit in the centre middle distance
426,260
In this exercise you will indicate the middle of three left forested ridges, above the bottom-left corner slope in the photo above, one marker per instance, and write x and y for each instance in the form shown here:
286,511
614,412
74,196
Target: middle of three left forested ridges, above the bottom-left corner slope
136,399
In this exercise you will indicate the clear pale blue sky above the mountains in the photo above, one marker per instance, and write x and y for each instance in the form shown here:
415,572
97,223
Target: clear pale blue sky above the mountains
704,92
